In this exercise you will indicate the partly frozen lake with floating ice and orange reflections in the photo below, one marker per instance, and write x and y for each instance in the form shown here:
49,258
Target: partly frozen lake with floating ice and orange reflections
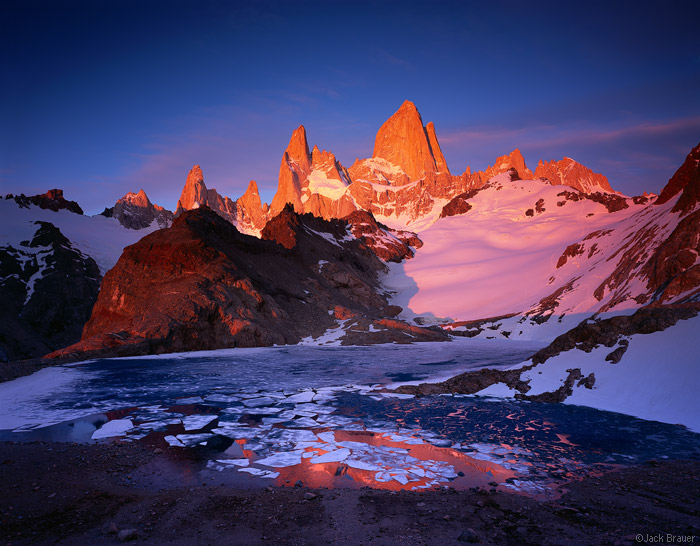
282,414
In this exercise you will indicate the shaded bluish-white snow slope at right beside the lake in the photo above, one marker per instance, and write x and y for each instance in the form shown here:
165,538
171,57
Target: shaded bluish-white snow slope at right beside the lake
656,378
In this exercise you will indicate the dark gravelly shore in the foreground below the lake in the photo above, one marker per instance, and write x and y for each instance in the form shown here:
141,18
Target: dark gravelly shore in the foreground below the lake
43,500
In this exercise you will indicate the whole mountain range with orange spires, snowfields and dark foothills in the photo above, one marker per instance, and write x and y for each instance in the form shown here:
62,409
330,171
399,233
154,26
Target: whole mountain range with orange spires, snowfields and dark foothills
394,248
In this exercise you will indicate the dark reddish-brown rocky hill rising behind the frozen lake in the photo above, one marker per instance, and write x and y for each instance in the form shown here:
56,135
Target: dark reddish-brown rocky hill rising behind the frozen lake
201,284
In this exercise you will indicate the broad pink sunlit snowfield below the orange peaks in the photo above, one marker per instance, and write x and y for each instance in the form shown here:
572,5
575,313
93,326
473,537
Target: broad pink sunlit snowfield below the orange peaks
501,256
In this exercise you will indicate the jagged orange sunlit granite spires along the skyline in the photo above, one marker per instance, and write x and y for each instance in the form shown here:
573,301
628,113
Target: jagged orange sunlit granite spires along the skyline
405,184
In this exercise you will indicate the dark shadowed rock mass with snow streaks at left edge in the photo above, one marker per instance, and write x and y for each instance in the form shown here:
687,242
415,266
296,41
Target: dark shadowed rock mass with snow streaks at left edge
47,289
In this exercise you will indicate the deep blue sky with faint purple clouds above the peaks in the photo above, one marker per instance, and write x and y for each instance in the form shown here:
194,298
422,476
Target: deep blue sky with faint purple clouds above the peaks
105,97
